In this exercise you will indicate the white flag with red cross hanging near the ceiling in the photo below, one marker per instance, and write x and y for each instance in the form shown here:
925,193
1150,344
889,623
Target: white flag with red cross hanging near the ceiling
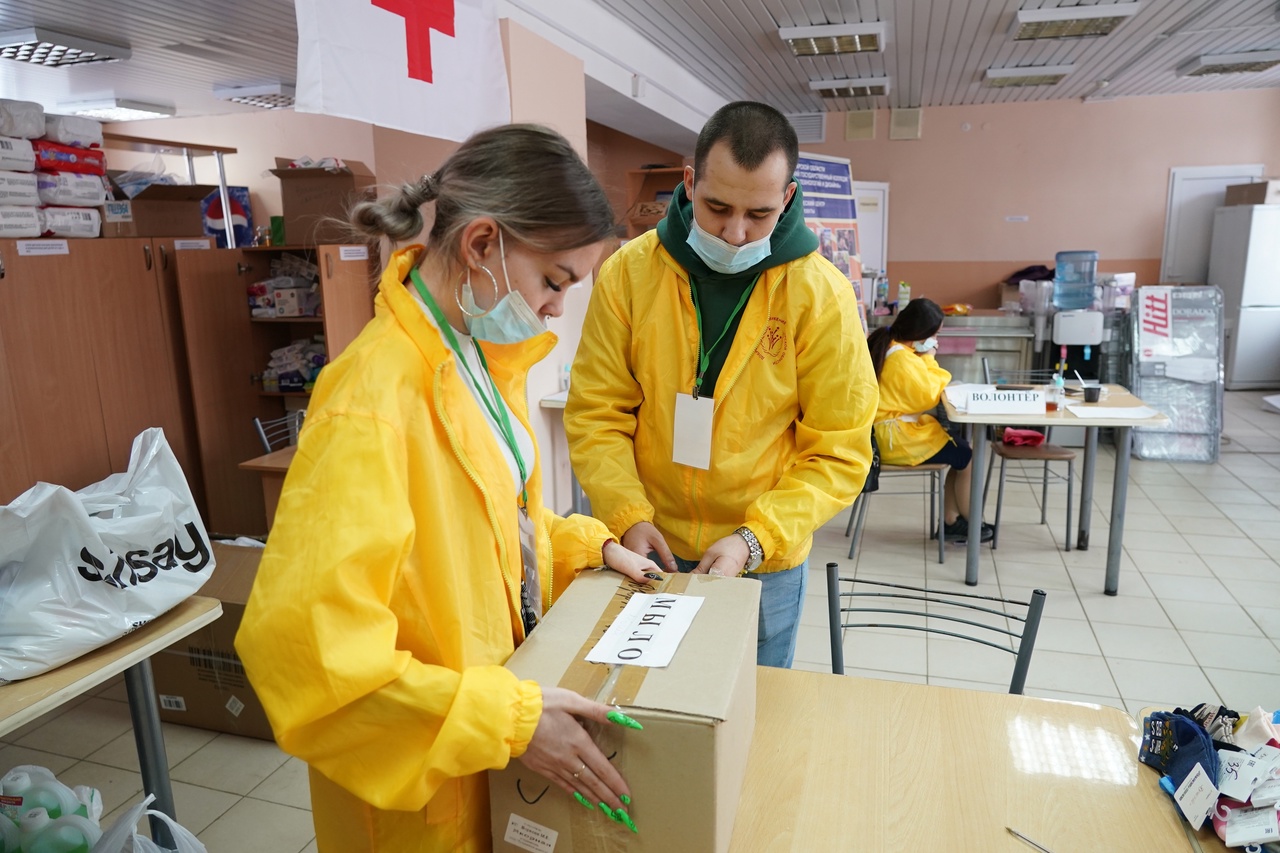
431,67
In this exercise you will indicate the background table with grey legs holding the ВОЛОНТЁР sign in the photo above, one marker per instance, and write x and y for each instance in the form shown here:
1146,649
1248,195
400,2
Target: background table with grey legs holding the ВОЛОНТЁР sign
1118,398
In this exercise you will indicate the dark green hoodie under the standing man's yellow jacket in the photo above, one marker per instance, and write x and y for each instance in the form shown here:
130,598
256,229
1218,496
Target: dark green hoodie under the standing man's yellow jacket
719,294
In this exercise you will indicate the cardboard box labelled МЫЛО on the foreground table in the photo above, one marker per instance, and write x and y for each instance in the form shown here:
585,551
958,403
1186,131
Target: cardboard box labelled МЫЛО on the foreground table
687,768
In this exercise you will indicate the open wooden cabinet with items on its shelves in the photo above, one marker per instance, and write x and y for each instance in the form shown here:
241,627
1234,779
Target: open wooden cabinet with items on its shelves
227,352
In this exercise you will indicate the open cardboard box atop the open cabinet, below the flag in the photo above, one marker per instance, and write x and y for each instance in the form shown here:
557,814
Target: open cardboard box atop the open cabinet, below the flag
313,198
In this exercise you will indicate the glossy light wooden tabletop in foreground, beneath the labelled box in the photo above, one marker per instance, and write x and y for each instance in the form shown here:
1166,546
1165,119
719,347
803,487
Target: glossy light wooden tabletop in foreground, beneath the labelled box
849,764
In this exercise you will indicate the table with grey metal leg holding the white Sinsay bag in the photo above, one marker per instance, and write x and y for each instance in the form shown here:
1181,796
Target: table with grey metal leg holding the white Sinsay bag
22,703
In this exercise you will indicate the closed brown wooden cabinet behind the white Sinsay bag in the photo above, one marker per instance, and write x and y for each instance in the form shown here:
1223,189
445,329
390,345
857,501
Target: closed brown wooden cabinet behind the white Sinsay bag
84,363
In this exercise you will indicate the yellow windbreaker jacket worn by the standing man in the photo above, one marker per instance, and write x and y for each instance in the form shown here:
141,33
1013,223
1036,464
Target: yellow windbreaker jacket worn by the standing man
794,405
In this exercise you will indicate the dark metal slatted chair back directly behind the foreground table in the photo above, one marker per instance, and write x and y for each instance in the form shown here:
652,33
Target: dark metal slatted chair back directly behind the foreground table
899,603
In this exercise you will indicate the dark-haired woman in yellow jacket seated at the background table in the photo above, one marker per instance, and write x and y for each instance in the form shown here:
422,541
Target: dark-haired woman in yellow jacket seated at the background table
911,385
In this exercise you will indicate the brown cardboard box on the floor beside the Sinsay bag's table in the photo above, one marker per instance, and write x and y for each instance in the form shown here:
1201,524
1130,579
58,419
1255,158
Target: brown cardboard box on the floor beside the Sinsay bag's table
200,681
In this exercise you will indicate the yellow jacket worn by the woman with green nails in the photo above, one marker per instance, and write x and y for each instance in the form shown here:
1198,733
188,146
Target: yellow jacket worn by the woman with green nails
387,601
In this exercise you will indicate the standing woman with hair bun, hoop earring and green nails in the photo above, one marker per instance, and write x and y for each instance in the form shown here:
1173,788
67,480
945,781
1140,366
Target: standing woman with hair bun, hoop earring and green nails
412,553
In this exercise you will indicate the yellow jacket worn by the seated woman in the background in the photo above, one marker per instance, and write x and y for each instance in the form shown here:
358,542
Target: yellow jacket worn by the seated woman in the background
911,385
